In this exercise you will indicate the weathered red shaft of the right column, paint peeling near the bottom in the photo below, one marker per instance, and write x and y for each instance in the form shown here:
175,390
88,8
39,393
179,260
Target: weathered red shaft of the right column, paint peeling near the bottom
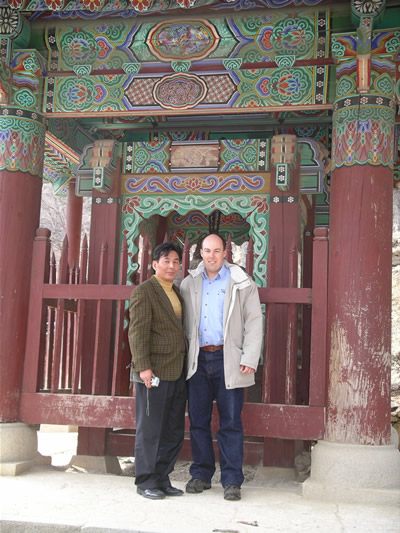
359,305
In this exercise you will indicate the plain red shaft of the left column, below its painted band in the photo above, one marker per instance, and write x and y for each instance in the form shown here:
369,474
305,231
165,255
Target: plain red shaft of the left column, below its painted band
19,218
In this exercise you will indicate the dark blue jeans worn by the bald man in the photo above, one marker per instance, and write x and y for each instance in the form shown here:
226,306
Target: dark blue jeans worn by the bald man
205,386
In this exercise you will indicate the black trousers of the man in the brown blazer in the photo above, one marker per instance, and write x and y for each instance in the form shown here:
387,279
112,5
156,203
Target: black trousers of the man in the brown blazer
160,429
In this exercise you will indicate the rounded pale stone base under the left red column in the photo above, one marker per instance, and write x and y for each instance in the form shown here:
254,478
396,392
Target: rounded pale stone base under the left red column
18,449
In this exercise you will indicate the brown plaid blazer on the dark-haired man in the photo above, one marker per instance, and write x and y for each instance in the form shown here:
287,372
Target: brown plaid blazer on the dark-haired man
156,335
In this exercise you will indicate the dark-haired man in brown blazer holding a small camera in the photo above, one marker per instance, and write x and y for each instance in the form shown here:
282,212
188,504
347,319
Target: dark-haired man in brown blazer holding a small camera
158,346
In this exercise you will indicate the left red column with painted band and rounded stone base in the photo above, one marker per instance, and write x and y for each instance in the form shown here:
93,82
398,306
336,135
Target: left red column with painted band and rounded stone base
21,166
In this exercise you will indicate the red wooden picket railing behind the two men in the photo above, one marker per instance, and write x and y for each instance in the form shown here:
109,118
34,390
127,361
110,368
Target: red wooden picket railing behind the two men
53,360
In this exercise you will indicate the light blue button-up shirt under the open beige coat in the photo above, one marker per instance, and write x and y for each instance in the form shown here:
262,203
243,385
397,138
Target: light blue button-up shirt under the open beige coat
211,329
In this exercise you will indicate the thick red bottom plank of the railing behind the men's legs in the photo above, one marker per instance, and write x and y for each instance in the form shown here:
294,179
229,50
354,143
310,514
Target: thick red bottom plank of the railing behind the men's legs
259,420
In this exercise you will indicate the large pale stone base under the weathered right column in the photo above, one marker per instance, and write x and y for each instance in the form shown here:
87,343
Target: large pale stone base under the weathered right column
354,473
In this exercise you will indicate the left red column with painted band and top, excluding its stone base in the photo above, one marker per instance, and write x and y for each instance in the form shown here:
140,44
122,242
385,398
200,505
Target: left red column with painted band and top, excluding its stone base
21,169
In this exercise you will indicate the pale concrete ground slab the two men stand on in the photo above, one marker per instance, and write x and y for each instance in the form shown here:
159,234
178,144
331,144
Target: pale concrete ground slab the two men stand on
50,499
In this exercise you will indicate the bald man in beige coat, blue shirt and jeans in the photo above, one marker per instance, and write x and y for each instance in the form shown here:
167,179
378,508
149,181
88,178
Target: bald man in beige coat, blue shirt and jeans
224,330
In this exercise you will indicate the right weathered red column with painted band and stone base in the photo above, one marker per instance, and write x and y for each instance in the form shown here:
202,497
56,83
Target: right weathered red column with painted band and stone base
356,456
